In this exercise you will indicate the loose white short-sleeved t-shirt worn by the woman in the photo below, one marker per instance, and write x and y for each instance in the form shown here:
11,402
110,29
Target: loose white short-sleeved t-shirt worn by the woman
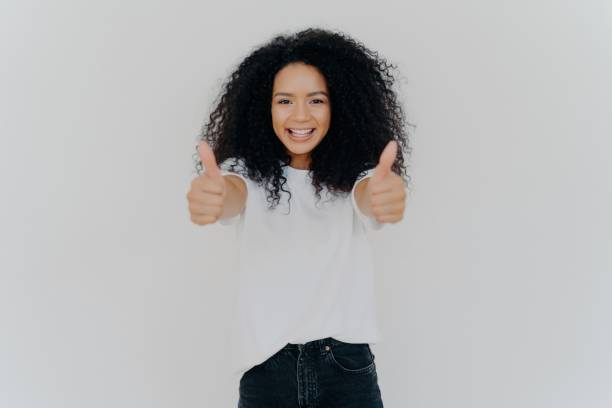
303,274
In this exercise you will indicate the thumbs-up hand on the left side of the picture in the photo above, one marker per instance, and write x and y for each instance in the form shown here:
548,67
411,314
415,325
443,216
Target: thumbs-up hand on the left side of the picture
208,191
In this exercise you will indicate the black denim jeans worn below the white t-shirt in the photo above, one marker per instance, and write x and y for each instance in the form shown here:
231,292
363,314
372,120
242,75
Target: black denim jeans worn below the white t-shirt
325,373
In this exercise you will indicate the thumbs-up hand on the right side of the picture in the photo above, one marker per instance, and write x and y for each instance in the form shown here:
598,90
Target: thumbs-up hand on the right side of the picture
385,193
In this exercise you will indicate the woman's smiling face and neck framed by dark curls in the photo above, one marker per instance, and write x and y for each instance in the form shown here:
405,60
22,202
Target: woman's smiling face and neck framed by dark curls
301,110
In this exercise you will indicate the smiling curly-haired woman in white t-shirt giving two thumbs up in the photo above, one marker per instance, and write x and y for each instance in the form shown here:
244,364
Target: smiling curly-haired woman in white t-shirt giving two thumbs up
304,114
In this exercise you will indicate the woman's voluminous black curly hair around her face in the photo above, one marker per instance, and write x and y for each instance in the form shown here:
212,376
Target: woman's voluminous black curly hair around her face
366,114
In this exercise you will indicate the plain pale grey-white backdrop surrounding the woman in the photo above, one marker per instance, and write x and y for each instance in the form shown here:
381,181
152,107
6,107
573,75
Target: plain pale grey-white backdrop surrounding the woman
494,291
